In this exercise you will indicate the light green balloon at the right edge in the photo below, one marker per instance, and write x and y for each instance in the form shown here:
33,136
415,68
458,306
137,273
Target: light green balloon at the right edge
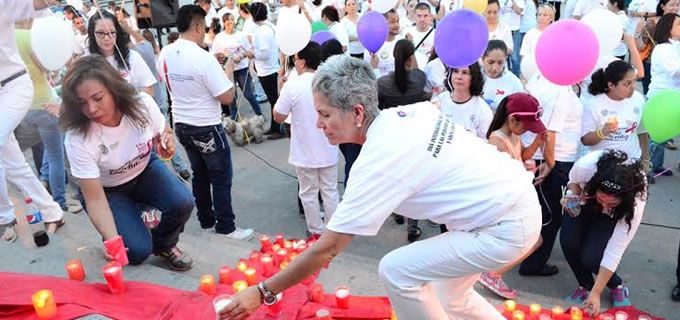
661,116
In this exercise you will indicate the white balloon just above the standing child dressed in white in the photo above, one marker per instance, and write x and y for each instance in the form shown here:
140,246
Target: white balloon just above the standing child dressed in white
293,32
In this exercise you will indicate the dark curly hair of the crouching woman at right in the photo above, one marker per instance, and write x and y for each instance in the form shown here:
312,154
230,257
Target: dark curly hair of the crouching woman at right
620,179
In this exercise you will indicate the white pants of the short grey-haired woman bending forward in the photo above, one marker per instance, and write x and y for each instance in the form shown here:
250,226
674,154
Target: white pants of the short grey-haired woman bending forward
433,279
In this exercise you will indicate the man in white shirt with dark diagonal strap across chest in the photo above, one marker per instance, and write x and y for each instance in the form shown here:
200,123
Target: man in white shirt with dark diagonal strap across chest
422,34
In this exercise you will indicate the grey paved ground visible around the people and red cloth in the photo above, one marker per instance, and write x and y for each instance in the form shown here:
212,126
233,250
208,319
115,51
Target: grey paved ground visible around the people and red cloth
264,198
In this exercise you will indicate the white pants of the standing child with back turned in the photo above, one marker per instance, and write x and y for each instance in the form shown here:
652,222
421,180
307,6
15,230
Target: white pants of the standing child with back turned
312,181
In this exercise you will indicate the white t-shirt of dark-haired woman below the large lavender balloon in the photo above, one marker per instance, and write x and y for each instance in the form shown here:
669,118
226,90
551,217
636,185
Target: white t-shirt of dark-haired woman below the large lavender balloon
473,115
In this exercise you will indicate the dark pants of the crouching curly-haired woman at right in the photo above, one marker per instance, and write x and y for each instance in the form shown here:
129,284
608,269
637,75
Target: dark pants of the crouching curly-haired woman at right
583,241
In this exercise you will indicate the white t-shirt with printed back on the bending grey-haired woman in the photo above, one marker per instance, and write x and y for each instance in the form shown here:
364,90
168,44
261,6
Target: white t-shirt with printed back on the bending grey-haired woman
417,163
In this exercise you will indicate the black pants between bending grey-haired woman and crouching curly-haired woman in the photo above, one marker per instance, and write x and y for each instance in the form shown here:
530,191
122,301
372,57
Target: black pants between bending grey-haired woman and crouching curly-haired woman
549,195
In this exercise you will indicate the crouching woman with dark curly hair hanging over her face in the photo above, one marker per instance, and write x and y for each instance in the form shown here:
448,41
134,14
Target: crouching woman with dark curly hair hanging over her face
605,202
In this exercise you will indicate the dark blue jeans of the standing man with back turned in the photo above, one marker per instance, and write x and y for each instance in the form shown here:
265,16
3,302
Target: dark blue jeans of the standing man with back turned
210,158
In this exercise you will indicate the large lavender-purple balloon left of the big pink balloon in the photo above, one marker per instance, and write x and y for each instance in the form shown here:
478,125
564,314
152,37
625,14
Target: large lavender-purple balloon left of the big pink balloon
461,38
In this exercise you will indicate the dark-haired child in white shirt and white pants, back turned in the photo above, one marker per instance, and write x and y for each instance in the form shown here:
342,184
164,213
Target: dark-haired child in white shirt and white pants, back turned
314,158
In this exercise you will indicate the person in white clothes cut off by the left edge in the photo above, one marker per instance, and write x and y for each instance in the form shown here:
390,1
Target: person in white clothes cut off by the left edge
16,94
